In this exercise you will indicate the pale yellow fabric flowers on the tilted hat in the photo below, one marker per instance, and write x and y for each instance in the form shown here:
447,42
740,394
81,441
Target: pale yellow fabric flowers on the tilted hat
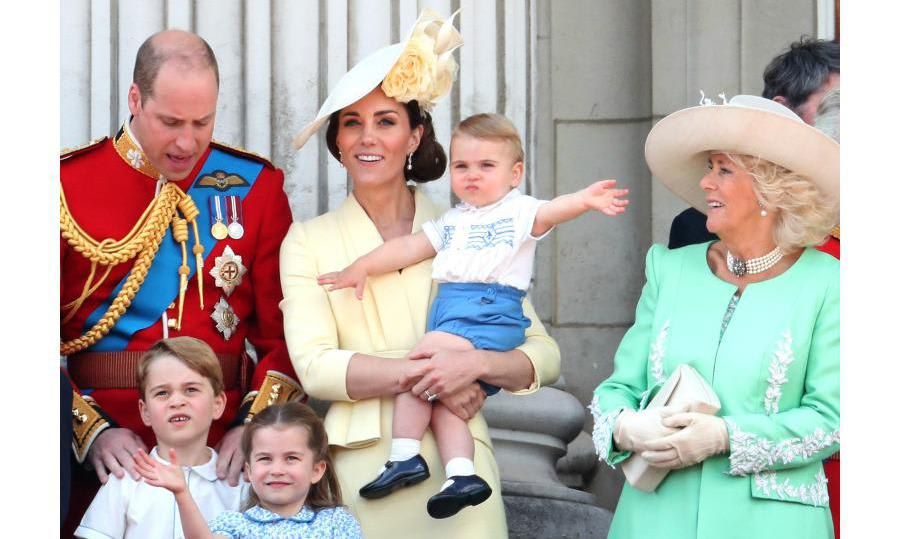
426,69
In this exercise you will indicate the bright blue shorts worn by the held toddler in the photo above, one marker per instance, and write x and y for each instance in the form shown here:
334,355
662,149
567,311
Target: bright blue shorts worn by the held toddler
488,315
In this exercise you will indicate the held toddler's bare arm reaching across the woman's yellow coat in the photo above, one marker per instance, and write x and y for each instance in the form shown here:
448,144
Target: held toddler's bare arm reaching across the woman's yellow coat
394,254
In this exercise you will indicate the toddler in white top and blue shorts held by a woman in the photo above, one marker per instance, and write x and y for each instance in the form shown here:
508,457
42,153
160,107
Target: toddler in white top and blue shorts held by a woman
484,251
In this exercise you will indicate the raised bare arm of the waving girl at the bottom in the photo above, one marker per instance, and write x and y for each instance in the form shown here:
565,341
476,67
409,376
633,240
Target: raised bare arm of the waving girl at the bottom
171,477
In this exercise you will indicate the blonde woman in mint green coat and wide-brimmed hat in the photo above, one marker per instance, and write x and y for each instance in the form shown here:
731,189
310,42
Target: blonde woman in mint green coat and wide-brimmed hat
756,314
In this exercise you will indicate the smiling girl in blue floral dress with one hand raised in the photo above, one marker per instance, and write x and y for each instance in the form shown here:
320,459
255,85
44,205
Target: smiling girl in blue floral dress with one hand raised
294,487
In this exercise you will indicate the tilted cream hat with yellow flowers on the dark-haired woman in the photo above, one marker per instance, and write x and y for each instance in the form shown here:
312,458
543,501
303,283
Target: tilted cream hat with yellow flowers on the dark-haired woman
420,68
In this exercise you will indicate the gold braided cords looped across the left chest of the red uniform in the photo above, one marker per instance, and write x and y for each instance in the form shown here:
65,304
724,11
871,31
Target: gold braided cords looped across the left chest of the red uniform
143,241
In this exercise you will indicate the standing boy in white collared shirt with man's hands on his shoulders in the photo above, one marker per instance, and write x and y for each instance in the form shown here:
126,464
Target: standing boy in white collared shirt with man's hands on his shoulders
182,393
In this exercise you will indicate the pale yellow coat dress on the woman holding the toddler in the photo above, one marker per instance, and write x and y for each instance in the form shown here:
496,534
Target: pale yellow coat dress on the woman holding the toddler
324,329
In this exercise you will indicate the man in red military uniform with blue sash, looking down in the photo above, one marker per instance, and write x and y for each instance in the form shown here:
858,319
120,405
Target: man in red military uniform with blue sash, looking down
165,233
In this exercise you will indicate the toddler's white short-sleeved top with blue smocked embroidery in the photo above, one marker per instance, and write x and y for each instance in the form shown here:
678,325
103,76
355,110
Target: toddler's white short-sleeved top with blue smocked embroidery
487,244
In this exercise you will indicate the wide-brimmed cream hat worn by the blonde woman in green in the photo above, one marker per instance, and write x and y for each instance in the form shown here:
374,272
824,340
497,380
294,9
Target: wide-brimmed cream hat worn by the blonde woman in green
678,147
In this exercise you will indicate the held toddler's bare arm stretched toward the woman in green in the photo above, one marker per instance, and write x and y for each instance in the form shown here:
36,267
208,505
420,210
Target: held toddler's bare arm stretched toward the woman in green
600,196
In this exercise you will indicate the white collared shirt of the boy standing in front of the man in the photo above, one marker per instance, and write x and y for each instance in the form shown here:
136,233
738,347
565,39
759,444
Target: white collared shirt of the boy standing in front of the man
125,508
